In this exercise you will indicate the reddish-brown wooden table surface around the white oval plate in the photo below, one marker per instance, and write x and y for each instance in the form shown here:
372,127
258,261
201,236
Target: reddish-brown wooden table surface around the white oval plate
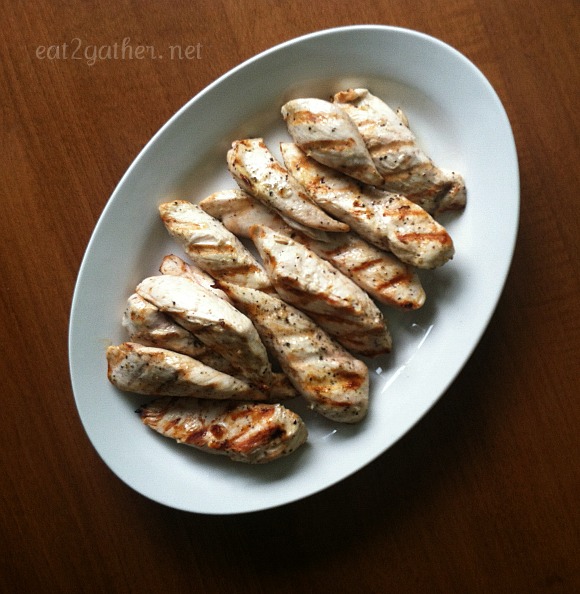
482,495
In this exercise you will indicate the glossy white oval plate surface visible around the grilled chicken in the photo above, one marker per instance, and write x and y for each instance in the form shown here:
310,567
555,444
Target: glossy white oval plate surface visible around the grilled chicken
460,122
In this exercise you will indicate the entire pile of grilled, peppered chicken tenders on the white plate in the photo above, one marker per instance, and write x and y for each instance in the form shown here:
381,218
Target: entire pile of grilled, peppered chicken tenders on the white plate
340,224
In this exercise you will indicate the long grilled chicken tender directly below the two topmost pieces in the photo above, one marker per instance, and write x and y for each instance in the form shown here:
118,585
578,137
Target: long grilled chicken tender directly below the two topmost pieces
390,221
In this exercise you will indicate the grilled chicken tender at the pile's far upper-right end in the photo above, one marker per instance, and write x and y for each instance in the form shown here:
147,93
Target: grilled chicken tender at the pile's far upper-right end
404,166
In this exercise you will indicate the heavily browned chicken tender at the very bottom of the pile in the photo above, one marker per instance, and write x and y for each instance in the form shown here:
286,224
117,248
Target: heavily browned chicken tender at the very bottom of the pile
245,432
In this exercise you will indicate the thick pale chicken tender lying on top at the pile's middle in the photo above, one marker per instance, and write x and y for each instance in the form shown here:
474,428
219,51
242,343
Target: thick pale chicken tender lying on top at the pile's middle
332,300
